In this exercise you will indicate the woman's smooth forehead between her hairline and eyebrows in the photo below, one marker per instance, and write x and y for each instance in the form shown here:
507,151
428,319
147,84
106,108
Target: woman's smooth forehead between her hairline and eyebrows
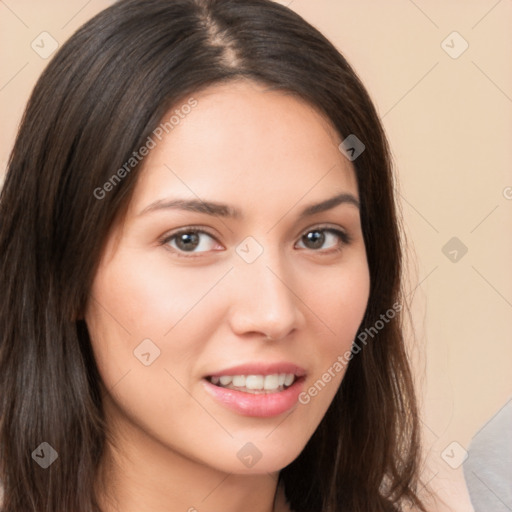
245,143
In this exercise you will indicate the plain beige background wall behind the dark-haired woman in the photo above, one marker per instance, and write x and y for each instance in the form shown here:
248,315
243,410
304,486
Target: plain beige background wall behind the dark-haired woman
449,121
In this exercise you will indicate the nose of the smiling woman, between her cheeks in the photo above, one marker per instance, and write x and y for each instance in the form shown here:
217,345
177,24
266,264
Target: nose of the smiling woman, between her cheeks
264,300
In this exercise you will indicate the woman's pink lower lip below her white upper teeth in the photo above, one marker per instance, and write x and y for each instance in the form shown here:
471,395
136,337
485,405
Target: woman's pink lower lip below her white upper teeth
262,405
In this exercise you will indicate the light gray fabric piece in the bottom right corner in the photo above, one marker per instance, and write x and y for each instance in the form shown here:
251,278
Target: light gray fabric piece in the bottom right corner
488,468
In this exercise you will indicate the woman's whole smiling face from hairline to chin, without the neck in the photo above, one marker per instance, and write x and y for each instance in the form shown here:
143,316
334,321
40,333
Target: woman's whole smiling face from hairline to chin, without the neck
233,284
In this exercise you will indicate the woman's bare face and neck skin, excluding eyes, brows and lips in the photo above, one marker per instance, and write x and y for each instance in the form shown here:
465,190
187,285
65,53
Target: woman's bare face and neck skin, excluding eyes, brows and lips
269,155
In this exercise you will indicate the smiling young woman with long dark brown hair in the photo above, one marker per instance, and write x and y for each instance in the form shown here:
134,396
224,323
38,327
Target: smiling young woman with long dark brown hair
201,274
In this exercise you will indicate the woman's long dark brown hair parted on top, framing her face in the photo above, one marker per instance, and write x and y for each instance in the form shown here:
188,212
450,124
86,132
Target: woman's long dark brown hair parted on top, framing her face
99,99
